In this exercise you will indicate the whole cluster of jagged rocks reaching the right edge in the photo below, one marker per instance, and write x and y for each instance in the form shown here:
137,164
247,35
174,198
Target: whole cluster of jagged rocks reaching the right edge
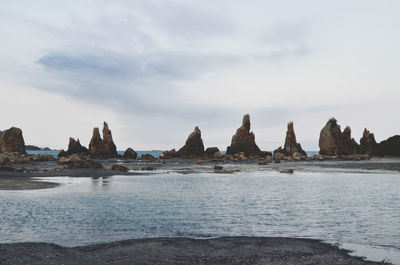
334,142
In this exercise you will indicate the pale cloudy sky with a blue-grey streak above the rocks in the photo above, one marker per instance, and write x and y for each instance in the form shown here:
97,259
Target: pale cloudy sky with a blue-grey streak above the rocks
156,69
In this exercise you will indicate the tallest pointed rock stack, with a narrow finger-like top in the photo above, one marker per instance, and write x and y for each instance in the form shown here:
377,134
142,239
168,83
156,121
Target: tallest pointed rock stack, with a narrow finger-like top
243,140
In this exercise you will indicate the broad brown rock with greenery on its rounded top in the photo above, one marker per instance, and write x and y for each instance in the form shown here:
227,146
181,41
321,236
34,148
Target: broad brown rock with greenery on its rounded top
333,141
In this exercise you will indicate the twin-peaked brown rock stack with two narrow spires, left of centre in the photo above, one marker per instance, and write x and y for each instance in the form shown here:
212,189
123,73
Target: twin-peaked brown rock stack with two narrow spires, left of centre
104,148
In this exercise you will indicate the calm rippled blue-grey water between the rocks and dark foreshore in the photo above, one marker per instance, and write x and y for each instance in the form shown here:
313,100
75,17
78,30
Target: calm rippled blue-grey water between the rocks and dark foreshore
361,211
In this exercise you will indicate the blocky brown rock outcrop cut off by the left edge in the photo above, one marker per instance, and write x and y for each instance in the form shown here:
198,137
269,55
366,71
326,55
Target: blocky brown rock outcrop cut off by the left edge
11,140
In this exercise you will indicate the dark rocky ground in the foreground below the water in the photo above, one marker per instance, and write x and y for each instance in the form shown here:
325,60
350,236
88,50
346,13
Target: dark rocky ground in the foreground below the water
228,250
